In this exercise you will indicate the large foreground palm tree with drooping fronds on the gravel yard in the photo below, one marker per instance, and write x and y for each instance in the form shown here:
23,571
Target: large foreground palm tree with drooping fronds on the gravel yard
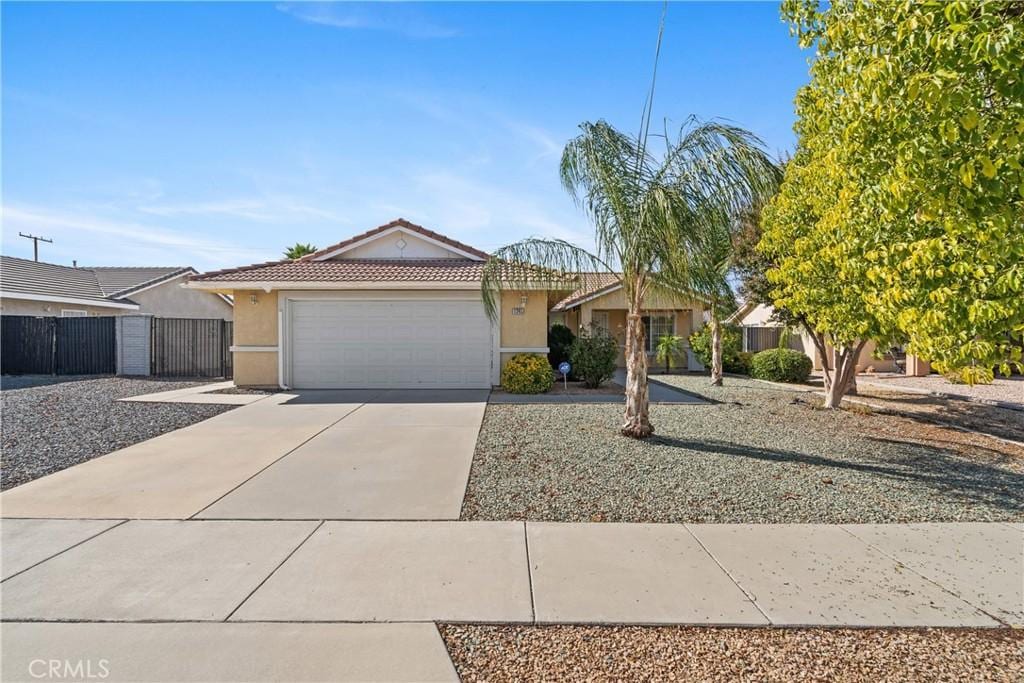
650,215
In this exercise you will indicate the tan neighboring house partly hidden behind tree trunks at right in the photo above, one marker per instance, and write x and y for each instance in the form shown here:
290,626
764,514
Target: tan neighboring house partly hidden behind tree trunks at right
761,330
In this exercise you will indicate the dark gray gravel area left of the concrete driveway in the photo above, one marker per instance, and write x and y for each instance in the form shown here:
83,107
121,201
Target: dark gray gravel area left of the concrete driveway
51,424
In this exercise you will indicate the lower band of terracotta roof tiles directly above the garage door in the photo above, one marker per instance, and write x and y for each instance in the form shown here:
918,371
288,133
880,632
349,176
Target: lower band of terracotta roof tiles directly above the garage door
353,271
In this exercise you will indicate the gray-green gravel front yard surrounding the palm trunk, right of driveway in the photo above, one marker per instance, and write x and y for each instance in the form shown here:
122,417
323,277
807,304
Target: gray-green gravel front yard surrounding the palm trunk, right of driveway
759,455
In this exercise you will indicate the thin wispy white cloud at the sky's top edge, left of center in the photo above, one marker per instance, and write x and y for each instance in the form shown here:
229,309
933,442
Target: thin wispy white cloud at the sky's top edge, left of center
400,19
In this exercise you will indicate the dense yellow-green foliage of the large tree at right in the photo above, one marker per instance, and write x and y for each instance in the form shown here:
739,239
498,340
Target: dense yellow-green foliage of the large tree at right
902,215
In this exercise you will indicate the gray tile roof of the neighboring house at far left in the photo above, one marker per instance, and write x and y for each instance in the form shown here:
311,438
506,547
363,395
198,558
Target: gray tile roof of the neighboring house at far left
20,276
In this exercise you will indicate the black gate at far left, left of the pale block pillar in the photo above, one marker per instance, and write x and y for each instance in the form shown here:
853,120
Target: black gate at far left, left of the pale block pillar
32,346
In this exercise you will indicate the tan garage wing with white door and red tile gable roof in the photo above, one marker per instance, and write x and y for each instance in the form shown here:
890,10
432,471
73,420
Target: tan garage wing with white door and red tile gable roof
398,307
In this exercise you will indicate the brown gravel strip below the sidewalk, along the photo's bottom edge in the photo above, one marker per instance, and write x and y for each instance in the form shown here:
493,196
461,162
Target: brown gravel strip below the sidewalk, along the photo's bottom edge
665,654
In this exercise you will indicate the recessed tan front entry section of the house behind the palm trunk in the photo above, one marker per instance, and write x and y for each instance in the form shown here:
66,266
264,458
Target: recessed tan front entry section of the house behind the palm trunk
601,303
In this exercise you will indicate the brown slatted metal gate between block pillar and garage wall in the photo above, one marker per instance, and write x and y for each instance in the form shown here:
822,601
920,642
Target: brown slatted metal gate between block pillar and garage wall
191,348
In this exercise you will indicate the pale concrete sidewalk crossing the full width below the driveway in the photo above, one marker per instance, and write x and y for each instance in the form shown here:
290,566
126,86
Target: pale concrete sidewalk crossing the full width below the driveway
802,575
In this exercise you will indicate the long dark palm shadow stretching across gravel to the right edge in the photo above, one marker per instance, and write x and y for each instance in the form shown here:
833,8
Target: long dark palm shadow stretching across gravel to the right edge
940,471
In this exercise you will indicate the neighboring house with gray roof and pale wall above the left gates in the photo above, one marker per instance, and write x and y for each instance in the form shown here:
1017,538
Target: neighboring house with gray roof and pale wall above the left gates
33,288
